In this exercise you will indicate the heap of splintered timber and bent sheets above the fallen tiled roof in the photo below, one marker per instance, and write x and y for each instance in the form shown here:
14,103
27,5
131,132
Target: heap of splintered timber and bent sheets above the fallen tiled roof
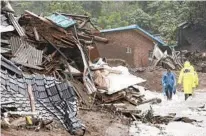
57,45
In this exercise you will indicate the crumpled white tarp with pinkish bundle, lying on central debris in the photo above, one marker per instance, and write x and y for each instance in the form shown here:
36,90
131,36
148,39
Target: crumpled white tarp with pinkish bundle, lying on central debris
114,79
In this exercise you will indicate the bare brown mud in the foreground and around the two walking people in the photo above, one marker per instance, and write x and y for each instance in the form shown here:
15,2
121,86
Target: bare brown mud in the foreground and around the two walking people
101,122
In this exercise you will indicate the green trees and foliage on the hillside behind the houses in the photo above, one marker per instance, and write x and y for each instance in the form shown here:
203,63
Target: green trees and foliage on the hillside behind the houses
159,17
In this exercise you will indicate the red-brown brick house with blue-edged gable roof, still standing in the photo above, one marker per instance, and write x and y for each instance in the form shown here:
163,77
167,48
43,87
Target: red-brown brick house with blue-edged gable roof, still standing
130,43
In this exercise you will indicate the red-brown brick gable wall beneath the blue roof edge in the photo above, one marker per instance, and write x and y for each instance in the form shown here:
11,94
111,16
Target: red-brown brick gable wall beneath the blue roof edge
118,43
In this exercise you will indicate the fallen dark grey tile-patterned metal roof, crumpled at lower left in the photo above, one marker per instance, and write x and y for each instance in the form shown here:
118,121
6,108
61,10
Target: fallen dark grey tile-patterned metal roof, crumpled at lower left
52,100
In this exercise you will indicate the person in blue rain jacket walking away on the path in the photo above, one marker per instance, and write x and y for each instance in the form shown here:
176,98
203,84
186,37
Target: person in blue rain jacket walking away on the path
169,84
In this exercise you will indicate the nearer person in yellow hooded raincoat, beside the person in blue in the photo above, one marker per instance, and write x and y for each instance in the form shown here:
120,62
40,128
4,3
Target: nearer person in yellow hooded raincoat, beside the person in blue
187,78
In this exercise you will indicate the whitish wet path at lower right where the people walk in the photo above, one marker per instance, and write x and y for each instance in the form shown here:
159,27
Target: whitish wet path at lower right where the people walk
193,108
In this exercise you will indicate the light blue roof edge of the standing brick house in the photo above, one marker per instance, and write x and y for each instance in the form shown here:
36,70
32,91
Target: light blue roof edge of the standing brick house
135,27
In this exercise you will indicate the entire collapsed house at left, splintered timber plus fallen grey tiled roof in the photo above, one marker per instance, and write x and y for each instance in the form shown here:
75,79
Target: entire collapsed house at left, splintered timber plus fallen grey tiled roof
40,56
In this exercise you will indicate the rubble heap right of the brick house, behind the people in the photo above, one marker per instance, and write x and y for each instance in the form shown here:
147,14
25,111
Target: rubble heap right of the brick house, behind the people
176,60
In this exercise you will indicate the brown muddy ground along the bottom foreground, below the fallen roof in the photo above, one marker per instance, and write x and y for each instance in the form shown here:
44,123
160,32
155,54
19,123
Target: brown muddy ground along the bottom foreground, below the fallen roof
98,123
